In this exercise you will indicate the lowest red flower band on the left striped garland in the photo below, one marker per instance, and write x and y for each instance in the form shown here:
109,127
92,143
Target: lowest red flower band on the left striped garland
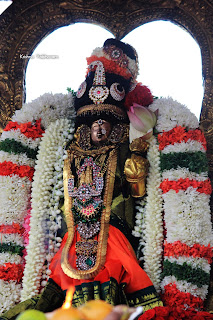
11,271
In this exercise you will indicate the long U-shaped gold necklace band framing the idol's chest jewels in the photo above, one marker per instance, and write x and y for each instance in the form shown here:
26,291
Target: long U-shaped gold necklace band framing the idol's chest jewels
103,235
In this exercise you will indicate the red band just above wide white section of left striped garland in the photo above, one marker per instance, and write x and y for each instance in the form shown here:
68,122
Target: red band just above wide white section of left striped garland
9,169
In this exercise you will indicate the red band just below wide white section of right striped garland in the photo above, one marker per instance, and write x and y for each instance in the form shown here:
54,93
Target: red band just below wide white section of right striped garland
178,248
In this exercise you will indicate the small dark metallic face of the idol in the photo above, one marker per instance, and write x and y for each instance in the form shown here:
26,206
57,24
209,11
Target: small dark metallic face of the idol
100,131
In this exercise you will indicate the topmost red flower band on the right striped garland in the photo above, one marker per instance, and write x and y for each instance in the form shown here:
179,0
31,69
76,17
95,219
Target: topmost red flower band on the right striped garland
179,134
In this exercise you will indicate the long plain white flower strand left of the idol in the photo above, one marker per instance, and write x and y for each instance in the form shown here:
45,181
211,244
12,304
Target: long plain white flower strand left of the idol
48,171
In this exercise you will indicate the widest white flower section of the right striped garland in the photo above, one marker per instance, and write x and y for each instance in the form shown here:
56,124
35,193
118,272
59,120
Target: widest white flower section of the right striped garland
187,217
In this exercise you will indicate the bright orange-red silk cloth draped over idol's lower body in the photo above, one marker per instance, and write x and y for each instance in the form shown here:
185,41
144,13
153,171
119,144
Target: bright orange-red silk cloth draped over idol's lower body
121,264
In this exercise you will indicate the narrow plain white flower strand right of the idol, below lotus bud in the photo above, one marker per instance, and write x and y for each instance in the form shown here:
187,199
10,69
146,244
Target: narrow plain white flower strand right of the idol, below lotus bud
153,233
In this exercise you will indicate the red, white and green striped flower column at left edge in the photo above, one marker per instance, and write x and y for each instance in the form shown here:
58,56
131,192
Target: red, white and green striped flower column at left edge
18,148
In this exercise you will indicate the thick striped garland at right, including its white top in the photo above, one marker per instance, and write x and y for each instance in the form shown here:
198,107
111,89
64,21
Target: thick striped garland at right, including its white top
186,191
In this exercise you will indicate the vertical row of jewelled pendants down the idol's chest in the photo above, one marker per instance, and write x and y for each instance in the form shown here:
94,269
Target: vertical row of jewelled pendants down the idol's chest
86,199
